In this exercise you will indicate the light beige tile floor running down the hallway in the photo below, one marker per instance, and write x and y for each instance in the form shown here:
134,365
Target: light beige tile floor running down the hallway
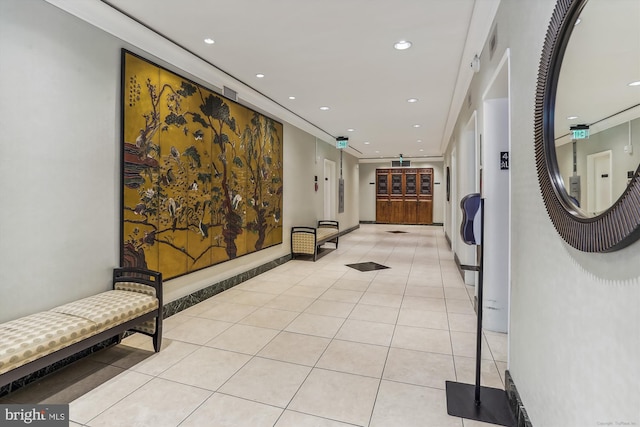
305,344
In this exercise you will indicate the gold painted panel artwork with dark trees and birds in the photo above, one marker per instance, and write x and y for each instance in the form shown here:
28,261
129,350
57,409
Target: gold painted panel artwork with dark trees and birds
202,175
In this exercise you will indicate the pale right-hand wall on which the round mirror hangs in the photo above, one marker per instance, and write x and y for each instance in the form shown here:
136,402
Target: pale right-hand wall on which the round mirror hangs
574,318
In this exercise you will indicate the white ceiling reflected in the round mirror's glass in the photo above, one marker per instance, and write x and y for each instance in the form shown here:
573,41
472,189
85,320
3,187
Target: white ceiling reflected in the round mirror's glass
601,59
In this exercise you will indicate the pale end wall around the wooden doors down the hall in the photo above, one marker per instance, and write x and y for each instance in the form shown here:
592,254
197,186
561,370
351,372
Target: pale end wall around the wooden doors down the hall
367,176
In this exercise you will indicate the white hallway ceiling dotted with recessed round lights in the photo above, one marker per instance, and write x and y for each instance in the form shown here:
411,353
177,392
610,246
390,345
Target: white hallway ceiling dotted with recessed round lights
338,53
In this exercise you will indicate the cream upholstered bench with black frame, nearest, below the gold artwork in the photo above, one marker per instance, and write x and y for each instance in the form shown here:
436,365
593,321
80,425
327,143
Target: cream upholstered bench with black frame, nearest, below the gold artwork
38,340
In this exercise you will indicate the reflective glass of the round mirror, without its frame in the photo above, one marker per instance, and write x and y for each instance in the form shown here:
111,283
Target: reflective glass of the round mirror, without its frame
597,111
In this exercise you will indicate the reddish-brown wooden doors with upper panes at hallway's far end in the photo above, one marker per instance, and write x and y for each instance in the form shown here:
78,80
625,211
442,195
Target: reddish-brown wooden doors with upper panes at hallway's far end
404,196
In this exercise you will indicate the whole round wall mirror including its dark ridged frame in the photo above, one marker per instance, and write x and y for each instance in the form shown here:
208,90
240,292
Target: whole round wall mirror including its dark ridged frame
588,121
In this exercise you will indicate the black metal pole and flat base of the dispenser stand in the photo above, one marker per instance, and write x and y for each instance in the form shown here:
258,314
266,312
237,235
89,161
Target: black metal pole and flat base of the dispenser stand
489,405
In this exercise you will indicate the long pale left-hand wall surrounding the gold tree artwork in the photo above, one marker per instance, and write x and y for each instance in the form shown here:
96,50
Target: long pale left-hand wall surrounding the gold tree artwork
60,164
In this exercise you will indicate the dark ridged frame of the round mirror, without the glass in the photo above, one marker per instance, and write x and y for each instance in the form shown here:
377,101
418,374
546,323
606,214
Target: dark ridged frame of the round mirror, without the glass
617,227
